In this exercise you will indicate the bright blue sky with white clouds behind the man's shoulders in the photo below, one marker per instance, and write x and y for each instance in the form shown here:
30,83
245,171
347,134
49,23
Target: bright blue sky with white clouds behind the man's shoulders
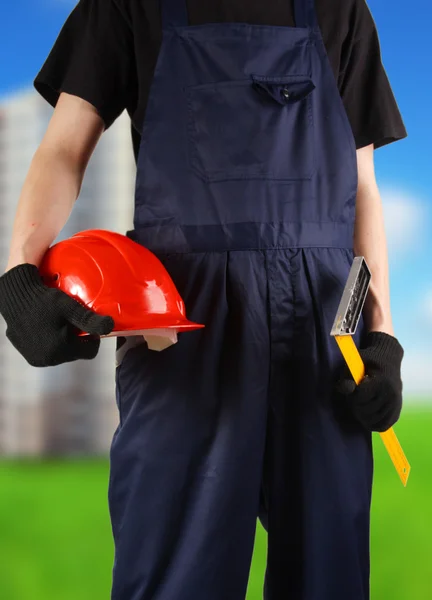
28,29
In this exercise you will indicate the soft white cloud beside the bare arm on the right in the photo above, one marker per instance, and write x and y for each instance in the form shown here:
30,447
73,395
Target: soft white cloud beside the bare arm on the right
405,221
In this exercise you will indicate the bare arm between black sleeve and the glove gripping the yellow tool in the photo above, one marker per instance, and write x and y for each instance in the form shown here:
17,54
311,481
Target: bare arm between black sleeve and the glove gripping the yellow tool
370,242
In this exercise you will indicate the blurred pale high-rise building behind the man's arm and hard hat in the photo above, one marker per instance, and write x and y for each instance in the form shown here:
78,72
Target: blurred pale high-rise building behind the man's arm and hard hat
68,409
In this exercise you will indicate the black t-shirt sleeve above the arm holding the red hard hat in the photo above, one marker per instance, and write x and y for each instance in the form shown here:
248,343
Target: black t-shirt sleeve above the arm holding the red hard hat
92,58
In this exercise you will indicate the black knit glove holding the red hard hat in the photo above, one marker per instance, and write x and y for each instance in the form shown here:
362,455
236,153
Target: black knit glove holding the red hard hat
42,322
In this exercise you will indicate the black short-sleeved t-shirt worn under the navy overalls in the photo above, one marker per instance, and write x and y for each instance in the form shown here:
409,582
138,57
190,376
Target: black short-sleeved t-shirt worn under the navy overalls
107,50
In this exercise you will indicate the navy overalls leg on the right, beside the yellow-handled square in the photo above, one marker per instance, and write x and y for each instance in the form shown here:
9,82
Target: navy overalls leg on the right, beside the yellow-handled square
318,471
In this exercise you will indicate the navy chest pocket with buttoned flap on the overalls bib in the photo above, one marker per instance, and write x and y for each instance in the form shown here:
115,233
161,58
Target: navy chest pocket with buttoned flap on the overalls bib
257,128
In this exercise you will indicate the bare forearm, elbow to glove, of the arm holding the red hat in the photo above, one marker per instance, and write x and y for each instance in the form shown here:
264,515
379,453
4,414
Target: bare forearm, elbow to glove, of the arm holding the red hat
49,192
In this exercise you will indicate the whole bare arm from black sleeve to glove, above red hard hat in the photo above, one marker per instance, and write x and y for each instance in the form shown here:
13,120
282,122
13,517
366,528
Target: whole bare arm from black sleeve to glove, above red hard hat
54,179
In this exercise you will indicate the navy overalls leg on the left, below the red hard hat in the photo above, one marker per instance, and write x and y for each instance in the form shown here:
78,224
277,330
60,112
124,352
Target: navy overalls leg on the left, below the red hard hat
186,462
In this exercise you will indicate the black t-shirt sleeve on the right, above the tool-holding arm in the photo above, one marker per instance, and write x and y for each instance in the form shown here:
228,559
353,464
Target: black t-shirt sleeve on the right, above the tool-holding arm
364,86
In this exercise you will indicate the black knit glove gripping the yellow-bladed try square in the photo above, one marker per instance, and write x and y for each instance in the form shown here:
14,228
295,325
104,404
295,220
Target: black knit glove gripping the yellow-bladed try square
377,401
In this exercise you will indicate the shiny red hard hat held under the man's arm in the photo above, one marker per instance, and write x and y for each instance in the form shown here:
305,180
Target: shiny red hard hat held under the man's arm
115,276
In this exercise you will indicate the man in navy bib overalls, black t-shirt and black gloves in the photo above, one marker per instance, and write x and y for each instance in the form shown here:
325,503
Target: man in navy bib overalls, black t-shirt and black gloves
256,124
